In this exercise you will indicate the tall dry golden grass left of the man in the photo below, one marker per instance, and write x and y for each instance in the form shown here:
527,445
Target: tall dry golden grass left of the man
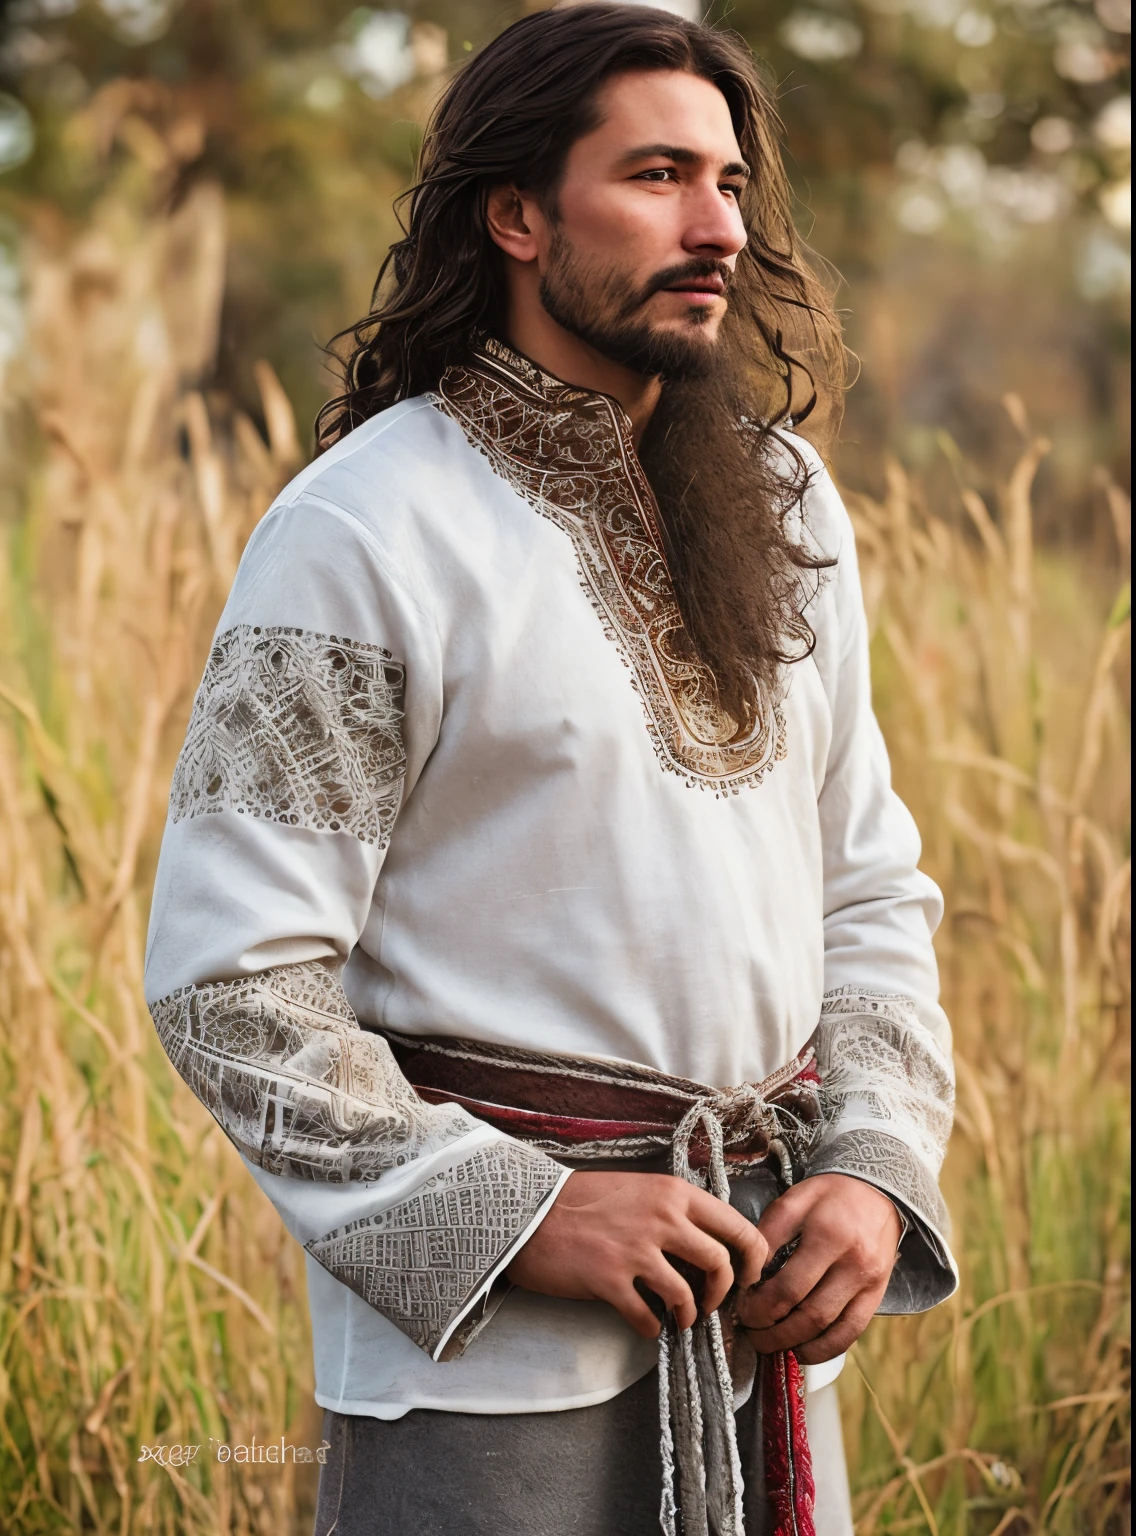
148,1293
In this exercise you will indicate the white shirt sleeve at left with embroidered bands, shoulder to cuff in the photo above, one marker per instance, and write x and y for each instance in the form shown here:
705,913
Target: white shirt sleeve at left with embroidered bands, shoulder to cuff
320,704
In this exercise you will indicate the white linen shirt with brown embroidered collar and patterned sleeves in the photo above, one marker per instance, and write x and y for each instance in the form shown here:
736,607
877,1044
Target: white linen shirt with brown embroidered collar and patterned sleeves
446,776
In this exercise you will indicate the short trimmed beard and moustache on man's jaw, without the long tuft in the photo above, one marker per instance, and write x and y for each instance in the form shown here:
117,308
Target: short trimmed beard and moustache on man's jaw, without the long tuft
604,306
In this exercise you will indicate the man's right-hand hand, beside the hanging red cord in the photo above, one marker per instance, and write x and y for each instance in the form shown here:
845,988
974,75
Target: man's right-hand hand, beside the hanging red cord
827,1294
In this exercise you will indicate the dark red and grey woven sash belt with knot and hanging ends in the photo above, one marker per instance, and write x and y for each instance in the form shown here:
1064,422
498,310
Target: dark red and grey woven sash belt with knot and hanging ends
601,1111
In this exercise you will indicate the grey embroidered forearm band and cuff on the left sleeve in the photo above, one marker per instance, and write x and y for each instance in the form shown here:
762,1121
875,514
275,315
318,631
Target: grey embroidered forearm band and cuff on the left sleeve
283,1065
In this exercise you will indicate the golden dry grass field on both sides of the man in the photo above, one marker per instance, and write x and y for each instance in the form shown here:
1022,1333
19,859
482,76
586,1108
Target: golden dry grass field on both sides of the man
150,1296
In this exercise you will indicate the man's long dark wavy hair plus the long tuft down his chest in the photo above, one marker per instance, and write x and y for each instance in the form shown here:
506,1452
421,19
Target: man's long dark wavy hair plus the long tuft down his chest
510,118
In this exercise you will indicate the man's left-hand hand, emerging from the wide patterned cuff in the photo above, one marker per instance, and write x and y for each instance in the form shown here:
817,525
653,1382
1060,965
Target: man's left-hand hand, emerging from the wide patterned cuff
609,1231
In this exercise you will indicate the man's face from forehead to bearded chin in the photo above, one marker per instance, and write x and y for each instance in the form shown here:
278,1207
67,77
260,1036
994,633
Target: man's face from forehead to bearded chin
641,253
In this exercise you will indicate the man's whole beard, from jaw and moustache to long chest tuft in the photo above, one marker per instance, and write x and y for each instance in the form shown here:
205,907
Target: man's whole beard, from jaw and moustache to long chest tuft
725,502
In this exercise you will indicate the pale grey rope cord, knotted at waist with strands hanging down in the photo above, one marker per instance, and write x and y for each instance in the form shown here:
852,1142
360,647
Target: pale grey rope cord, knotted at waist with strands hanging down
696,1392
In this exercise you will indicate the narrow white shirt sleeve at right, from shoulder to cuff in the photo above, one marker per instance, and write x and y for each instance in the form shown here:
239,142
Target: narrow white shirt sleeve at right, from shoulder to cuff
883,1044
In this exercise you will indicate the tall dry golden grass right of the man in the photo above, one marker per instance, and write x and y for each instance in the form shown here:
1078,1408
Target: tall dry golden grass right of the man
997,683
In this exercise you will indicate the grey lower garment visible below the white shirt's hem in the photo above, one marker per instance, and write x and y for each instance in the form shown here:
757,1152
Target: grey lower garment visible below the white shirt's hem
581,1472
